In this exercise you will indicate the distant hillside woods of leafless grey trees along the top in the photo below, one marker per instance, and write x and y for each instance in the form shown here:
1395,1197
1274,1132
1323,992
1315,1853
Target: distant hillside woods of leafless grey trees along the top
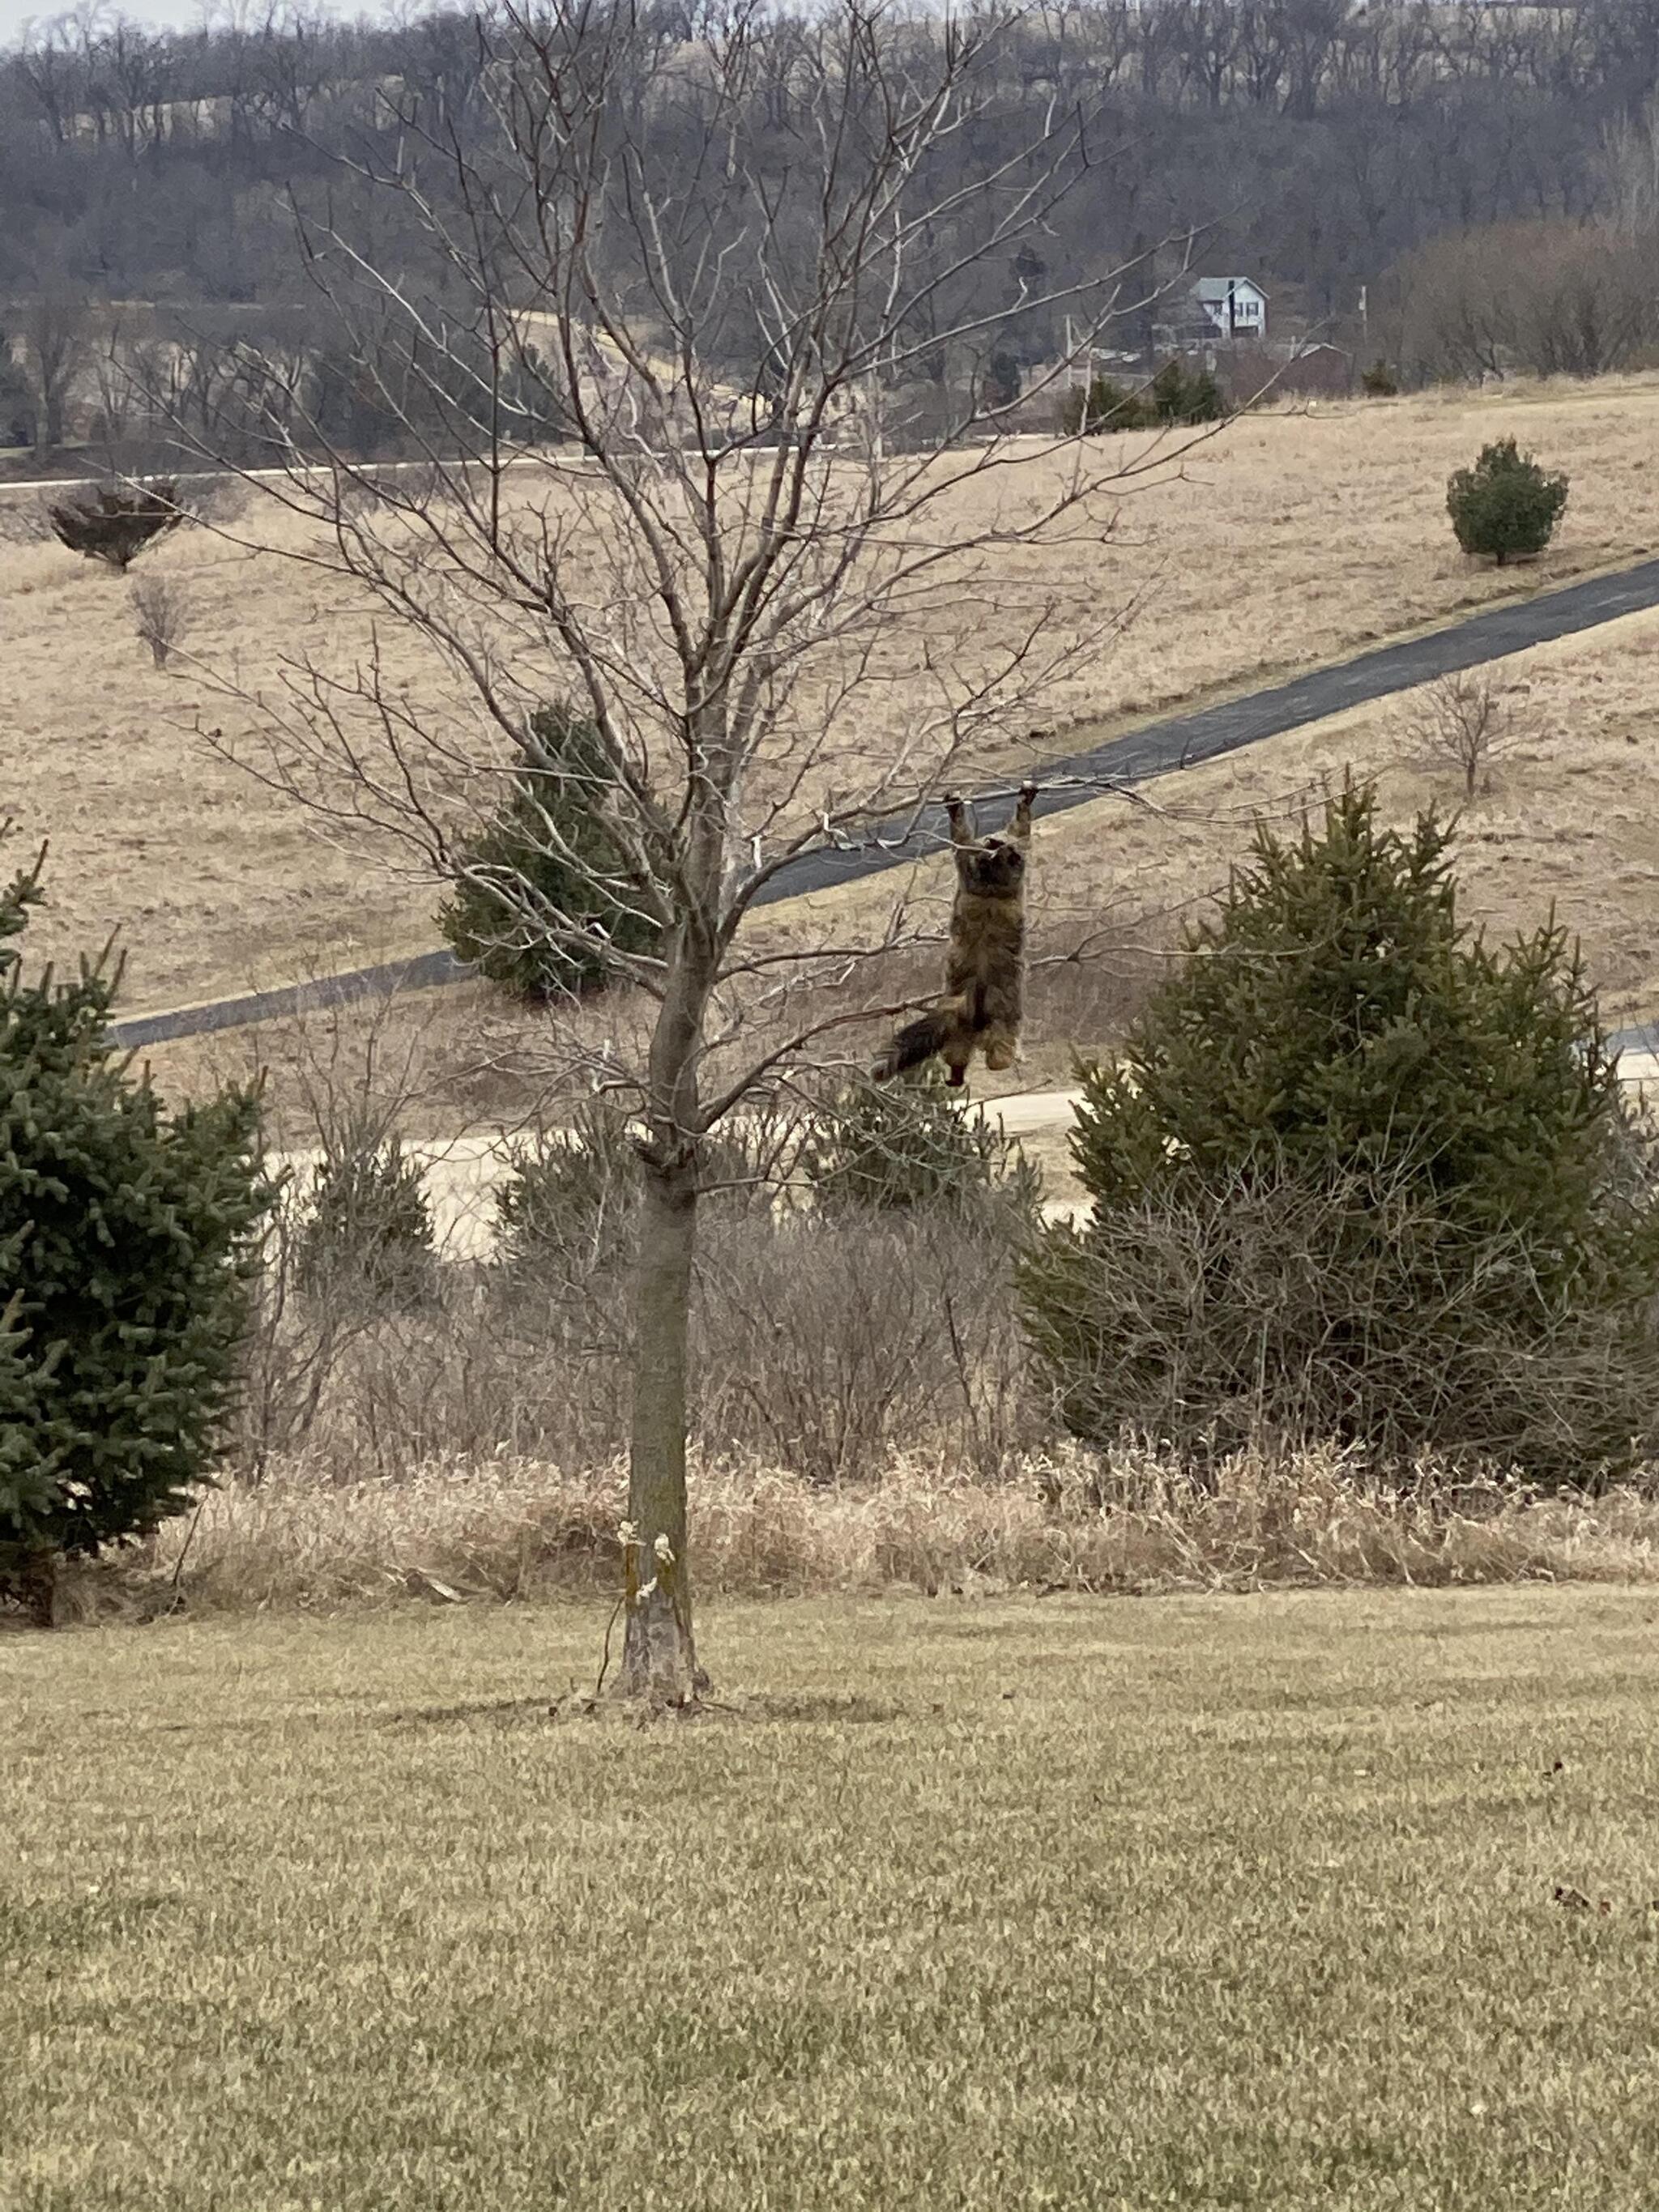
1311,143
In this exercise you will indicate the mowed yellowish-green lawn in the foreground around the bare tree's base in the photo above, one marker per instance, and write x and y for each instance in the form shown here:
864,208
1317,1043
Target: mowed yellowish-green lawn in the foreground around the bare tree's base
1120,1903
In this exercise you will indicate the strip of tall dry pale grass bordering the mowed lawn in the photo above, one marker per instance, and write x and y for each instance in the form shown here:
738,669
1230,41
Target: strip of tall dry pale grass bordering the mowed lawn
519,1530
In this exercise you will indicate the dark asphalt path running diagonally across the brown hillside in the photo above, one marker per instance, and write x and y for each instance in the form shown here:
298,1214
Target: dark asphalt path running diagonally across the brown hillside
1158,749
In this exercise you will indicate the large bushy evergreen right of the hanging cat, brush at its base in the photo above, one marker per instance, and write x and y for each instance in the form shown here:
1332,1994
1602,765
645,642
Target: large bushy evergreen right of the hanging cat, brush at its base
1361,1173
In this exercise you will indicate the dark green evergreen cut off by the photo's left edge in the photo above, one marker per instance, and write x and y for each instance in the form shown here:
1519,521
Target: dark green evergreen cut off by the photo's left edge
127,1249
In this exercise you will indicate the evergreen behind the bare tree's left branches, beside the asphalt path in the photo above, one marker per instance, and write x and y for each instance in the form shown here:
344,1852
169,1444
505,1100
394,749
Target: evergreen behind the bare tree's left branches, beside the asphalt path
545,895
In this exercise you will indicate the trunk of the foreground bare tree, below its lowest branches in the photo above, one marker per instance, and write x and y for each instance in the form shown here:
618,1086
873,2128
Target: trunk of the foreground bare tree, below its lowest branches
660,1656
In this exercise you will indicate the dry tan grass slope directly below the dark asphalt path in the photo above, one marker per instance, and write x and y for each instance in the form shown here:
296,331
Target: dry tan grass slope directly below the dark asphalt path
1567,820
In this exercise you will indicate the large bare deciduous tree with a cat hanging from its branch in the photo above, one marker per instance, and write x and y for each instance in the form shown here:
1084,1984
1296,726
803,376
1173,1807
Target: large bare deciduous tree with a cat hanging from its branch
720,275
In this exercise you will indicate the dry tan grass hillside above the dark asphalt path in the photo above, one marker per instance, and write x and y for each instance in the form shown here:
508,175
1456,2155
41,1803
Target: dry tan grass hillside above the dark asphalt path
1291,539
